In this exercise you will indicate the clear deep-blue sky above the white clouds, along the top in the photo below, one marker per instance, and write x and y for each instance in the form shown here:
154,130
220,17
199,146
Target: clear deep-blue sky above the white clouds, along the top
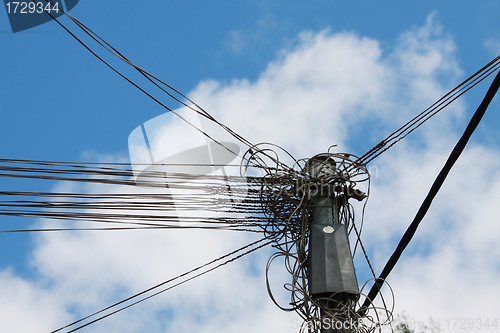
184,43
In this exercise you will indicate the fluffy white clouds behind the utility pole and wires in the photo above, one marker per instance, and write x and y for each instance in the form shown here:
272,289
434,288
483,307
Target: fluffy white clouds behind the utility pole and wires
316,94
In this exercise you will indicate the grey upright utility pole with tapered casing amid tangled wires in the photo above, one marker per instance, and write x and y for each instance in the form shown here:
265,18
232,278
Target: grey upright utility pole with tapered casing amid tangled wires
331,274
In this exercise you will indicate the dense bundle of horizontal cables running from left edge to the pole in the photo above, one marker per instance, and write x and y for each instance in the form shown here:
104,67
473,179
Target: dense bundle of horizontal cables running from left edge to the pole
189,202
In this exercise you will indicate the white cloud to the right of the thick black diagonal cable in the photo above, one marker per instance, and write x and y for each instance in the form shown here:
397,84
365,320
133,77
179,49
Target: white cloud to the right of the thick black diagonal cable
459,254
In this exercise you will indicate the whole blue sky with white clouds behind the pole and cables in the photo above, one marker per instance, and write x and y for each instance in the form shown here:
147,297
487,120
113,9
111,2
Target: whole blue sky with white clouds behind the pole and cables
304,76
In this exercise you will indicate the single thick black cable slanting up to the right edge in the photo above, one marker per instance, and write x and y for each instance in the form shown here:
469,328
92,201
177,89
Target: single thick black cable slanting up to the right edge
455,154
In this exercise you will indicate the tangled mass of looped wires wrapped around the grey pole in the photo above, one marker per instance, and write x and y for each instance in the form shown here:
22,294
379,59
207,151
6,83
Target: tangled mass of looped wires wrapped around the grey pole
287,197
